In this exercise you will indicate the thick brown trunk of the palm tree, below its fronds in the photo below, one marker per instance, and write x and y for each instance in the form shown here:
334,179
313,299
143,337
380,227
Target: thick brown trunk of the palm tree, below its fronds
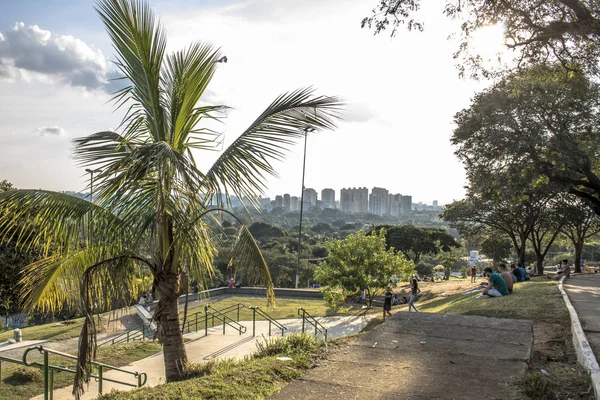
169,332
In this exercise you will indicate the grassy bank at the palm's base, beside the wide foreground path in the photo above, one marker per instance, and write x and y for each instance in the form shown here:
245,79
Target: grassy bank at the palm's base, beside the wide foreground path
255,377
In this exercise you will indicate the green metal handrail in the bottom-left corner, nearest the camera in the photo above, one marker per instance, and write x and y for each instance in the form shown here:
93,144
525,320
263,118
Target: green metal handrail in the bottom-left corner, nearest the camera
48,371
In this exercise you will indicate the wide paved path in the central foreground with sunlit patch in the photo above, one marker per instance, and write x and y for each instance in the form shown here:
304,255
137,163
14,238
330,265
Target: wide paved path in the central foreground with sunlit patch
424,356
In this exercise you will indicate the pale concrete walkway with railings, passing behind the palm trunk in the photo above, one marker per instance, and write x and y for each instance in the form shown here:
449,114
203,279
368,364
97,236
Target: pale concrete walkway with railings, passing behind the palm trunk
202,348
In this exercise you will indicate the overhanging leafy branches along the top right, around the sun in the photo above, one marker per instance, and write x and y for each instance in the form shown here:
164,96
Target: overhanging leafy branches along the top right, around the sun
567,31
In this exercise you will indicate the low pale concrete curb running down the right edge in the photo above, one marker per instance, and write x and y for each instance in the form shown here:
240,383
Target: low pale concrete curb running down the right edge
585,354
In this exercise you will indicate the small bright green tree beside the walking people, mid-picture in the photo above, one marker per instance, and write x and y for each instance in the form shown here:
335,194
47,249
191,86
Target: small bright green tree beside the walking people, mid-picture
361,261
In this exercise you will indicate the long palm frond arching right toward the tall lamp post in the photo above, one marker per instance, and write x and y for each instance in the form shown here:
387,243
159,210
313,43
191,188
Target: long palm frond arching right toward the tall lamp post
241,169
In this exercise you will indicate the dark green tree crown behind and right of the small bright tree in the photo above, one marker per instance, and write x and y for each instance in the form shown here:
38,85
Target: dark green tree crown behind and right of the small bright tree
414,241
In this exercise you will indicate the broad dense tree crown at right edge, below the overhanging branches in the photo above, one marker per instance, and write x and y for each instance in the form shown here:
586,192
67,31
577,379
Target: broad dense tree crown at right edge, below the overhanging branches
538,118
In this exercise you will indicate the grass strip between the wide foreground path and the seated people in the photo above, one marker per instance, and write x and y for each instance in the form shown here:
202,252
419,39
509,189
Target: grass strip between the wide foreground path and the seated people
537,299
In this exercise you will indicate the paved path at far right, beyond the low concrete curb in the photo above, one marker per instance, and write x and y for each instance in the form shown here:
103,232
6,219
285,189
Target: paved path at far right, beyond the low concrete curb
584,293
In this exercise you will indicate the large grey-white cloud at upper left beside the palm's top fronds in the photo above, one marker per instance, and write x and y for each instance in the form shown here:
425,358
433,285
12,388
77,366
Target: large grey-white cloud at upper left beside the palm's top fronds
35,51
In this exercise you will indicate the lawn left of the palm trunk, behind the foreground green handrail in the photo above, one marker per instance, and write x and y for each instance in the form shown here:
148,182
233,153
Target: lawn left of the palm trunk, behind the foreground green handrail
19,382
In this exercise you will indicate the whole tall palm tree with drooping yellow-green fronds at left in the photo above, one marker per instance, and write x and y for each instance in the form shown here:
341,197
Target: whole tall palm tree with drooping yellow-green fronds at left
151,201
